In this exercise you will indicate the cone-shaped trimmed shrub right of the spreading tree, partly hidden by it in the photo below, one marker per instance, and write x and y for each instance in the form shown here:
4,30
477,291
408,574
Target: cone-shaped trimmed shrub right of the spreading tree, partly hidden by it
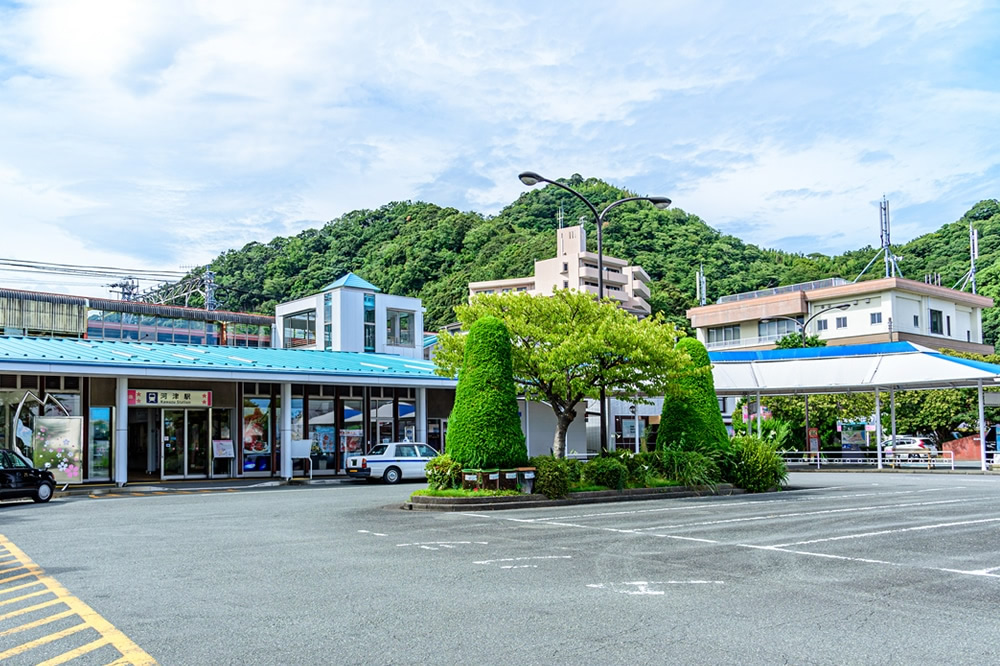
691,419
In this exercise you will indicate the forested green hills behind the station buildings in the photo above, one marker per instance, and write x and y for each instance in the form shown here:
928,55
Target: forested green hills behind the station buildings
420,249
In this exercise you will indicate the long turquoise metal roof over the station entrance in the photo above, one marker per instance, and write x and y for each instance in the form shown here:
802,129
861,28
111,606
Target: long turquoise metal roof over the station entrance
112,356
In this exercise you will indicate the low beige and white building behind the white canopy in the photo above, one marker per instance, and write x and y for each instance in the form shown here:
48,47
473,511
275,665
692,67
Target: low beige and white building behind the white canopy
846,313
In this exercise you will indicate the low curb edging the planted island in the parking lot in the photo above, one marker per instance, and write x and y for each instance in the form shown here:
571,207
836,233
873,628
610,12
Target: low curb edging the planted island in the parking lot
428,503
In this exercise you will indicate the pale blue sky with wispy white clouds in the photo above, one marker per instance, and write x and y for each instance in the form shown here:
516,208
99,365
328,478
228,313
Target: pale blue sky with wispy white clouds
157,135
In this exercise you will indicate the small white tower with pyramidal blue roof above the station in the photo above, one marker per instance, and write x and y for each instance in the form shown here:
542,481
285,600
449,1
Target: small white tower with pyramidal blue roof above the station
351,314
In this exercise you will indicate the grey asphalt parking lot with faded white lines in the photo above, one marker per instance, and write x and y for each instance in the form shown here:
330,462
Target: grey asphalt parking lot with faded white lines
848,568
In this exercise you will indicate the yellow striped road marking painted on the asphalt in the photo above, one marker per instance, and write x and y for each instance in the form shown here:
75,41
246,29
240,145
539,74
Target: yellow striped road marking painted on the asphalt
131,653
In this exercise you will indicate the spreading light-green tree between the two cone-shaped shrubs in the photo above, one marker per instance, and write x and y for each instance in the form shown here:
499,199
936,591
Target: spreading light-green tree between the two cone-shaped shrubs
565,345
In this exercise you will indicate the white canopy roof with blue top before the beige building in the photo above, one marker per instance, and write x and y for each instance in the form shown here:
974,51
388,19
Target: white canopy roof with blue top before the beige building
846,369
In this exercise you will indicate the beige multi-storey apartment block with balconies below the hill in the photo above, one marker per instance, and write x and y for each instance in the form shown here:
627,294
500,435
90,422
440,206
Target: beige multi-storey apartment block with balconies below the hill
574,267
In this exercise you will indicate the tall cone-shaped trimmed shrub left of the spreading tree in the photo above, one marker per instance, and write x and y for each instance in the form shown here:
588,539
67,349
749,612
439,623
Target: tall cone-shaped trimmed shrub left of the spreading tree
484,430
